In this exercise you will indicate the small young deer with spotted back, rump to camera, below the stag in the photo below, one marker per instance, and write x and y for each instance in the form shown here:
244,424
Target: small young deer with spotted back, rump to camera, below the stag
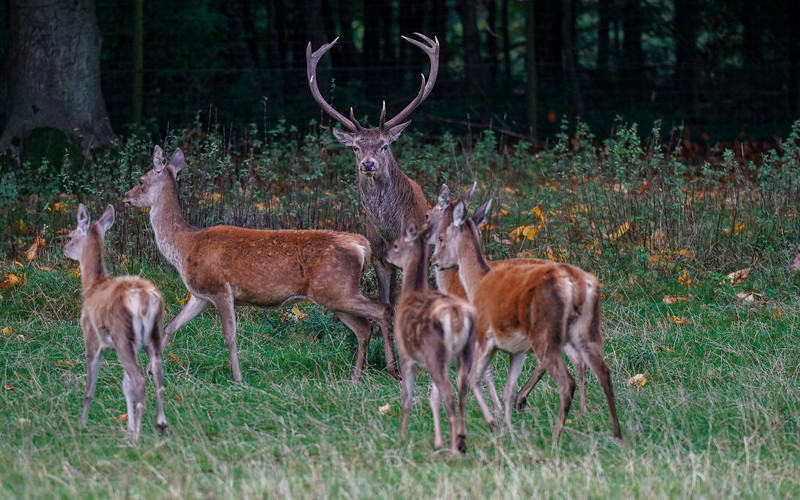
433,329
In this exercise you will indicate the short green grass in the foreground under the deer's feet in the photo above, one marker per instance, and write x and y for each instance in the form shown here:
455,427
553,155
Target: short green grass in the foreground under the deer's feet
718,417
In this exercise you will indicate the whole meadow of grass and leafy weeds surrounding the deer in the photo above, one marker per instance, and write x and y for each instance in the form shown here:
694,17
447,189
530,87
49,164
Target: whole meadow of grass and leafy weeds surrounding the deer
698,301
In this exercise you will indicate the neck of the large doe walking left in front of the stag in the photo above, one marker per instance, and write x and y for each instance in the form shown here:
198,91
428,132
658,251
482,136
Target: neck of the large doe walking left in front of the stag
169,224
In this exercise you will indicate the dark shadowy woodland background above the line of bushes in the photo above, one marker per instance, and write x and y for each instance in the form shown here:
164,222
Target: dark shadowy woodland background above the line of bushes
720,69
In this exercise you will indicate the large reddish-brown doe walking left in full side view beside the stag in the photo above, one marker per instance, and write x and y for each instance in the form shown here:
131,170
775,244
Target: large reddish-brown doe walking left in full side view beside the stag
226,265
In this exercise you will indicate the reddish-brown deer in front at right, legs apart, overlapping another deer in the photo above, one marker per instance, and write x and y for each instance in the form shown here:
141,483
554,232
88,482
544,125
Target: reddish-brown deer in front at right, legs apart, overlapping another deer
521,307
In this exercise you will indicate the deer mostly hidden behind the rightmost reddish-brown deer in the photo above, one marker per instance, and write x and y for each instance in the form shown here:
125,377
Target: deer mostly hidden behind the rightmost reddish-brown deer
585,300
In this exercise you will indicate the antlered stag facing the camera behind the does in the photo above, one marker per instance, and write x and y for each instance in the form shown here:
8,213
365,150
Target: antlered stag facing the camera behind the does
390,198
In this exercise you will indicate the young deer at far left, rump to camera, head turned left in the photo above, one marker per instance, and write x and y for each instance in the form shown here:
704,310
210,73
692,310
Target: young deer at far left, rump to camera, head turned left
125,313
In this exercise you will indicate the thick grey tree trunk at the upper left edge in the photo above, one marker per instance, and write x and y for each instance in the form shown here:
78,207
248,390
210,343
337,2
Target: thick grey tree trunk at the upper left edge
52,69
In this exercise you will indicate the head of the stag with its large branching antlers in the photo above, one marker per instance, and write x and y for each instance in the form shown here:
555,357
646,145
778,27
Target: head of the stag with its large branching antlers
372,145
